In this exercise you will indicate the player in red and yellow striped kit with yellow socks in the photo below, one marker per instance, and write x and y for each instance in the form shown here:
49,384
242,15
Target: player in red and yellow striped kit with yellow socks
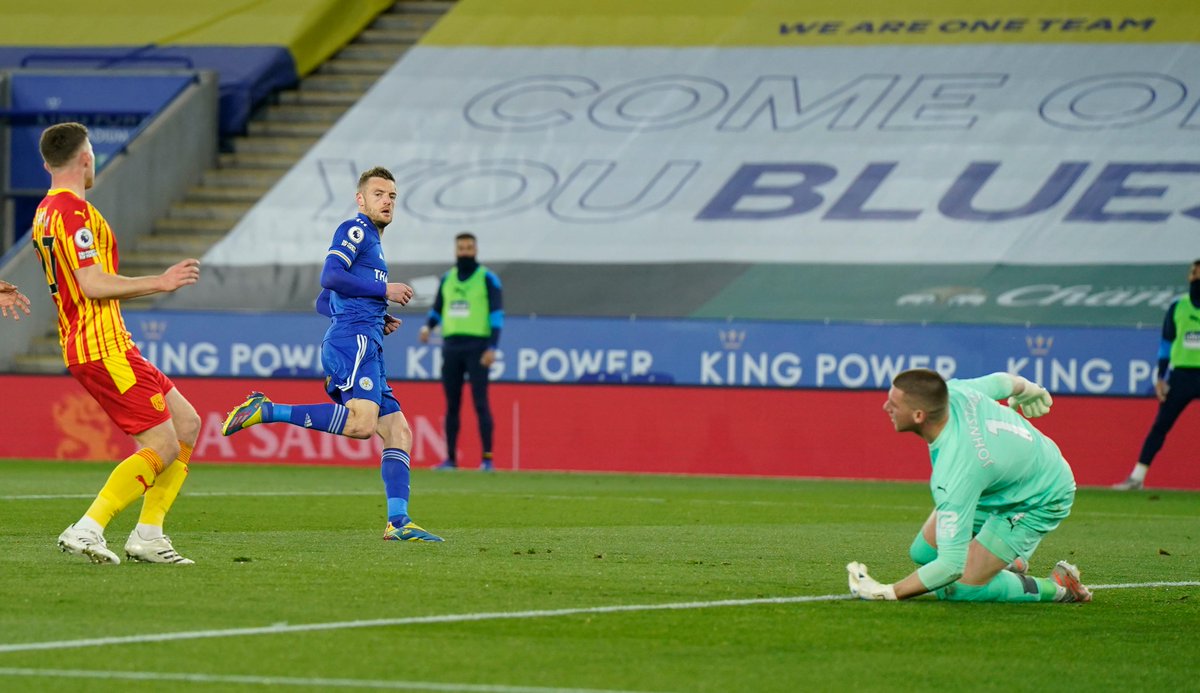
79,254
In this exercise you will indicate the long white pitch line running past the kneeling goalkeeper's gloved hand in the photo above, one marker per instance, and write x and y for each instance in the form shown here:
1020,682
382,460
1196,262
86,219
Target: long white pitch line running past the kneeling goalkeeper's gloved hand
281,629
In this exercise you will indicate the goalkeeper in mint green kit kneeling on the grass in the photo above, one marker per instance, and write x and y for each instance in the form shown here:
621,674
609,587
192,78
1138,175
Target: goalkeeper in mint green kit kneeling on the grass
999,485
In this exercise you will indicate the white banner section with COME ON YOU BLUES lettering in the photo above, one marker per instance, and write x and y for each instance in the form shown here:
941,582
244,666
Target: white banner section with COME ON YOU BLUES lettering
1029,155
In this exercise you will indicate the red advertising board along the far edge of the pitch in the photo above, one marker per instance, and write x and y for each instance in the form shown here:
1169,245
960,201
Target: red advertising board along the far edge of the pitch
663,430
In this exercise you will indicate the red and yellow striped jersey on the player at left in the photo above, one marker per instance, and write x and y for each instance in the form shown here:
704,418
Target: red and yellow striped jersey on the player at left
69,234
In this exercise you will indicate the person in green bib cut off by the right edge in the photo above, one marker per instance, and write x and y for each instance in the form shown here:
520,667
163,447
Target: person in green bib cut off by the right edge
1179,375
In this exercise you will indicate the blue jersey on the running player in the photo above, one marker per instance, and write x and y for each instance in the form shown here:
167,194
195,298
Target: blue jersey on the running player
357,244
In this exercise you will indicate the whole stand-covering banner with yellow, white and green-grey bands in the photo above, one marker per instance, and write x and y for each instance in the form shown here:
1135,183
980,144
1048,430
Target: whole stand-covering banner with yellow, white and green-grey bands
771,160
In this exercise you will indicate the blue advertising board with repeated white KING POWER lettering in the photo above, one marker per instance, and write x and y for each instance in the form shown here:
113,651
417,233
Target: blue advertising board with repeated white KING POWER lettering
695,353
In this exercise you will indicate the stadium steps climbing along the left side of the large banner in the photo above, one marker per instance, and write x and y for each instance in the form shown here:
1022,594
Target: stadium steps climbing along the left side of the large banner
279,135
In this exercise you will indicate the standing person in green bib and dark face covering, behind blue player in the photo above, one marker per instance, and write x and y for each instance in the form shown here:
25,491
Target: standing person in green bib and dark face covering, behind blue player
471,310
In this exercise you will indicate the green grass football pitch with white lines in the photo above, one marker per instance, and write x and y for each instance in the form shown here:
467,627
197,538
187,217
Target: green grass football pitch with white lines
571,582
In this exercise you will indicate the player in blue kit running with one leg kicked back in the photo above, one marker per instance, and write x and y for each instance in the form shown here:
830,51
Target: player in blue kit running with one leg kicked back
356,298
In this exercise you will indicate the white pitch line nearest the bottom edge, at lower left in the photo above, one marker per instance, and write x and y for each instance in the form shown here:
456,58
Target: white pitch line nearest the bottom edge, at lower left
99,674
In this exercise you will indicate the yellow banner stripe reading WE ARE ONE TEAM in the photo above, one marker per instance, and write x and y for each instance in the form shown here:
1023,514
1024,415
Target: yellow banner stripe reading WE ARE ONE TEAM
787,23
